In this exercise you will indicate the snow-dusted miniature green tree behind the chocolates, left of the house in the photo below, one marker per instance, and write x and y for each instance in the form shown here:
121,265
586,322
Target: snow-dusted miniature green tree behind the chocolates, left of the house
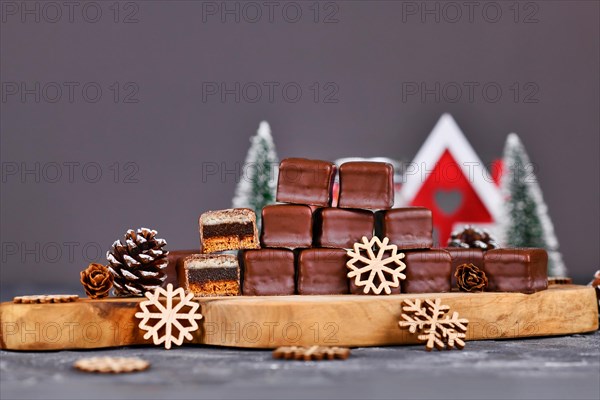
258,183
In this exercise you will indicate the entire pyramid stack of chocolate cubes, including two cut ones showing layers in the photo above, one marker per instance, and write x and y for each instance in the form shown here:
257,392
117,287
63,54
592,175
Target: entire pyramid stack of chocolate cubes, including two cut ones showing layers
304,240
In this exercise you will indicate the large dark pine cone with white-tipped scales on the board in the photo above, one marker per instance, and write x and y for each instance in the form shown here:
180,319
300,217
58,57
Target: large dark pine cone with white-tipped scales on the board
138,264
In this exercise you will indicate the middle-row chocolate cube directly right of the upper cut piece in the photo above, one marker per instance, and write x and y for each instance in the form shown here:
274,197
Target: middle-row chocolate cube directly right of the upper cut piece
286,225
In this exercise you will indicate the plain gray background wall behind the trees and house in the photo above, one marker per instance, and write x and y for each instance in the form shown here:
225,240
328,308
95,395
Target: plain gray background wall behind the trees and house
52,225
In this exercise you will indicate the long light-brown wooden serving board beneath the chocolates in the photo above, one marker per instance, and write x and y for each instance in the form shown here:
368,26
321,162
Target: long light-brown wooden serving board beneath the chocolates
269,322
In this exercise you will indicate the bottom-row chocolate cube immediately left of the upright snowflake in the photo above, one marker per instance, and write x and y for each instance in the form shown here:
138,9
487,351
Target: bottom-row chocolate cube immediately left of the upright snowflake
322,271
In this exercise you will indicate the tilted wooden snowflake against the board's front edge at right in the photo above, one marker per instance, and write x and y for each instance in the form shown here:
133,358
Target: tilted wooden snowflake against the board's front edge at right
433,324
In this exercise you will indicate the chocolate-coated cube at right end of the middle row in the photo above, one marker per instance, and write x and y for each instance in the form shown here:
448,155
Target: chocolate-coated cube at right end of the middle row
407,228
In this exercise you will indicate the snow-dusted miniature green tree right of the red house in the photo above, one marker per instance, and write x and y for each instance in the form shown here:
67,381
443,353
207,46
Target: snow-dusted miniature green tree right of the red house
527,223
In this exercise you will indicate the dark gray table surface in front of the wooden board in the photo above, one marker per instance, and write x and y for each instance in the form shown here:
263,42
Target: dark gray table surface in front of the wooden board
538,368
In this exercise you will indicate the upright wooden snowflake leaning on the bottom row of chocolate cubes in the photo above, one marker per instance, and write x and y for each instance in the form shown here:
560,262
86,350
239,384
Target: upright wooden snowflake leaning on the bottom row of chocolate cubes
383,270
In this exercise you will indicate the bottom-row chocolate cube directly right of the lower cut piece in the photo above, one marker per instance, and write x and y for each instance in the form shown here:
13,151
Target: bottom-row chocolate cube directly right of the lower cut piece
268,272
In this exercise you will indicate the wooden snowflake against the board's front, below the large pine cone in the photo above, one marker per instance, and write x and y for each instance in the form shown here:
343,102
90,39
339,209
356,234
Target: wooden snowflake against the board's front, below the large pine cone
164,318
